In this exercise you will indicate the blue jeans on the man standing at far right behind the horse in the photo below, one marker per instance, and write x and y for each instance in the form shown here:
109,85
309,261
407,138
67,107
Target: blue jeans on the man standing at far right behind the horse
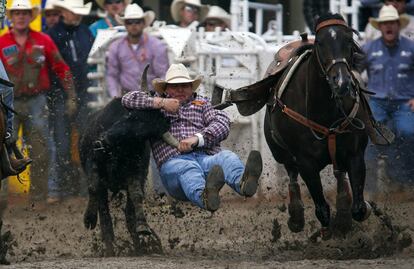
397,115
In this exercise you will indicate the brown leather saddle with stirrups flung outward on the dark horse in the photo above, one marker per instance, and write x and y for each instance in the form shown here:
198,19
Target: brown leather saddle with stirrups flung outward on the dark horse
252,98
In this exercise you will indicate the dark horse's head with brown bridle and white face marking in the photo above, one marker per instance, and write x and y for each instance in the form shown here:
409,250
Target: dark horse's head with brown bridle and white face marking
334,48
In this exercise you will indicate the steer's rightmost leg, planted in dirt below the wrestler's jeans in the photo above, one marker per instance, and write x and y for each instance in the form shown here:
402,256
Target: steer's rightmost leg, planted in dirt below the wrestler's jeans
144,238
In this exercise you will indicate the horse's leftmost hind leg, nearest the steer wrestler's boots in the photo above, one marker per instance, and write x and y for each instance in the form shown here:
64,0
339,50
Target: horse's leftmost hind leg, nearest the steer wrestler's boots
296,220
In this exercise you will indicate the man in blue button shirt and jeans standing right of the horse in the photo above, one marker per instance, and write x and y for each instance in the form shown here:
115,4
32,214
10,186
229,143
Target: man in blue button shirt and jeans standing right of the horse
390,67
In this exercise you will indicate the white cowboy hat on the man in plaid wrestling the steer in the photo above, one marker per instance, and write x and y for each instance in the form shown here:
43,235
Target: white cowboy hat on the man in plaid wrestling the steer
177,73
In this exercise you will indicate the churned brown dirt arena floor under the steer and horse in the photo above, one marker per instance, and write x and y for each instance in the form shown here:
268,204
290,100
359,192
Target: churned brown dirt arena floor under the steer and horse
243,233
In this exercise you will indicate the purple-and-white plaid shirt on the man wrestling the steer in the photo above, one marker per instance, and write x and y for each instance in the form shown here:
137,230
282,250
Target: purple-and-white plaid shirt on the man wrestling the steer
196,116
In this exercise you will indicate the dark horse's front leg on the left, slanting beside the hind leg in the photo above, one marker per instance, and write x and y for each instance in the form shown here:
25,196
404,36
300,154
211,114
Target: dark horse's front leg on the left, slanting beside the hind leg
311,176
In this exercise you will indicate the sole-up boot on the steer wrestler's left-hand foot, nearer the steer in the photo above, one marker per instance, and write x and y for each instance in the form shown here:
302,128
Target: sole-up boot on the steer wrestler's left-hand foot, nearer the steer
214,183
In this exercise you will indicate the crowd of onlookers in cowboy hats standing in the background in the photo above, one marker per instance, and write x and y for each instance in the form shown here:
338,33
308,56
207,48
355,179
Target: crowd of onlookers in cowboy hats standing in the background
49,71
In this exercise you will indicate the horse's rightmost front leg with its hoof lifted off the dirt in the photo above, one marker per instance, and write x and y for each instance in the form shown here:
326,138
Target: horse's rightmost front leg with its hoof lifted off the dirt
361,209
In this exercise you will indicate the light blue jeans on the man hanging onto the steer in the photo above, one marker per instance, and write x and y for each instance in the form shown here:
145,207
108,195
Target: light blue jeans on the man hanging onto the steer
184,176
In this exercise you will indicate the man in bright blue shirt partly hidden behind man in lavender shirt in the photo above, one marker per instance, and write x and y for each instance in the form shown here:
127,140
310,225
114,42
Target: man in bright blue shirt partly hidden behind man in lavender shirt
113,9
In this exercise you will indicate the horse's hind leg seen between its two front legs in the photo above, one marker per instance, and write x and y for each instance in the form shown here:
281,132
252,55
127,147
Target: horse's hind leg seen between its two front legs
343,218
